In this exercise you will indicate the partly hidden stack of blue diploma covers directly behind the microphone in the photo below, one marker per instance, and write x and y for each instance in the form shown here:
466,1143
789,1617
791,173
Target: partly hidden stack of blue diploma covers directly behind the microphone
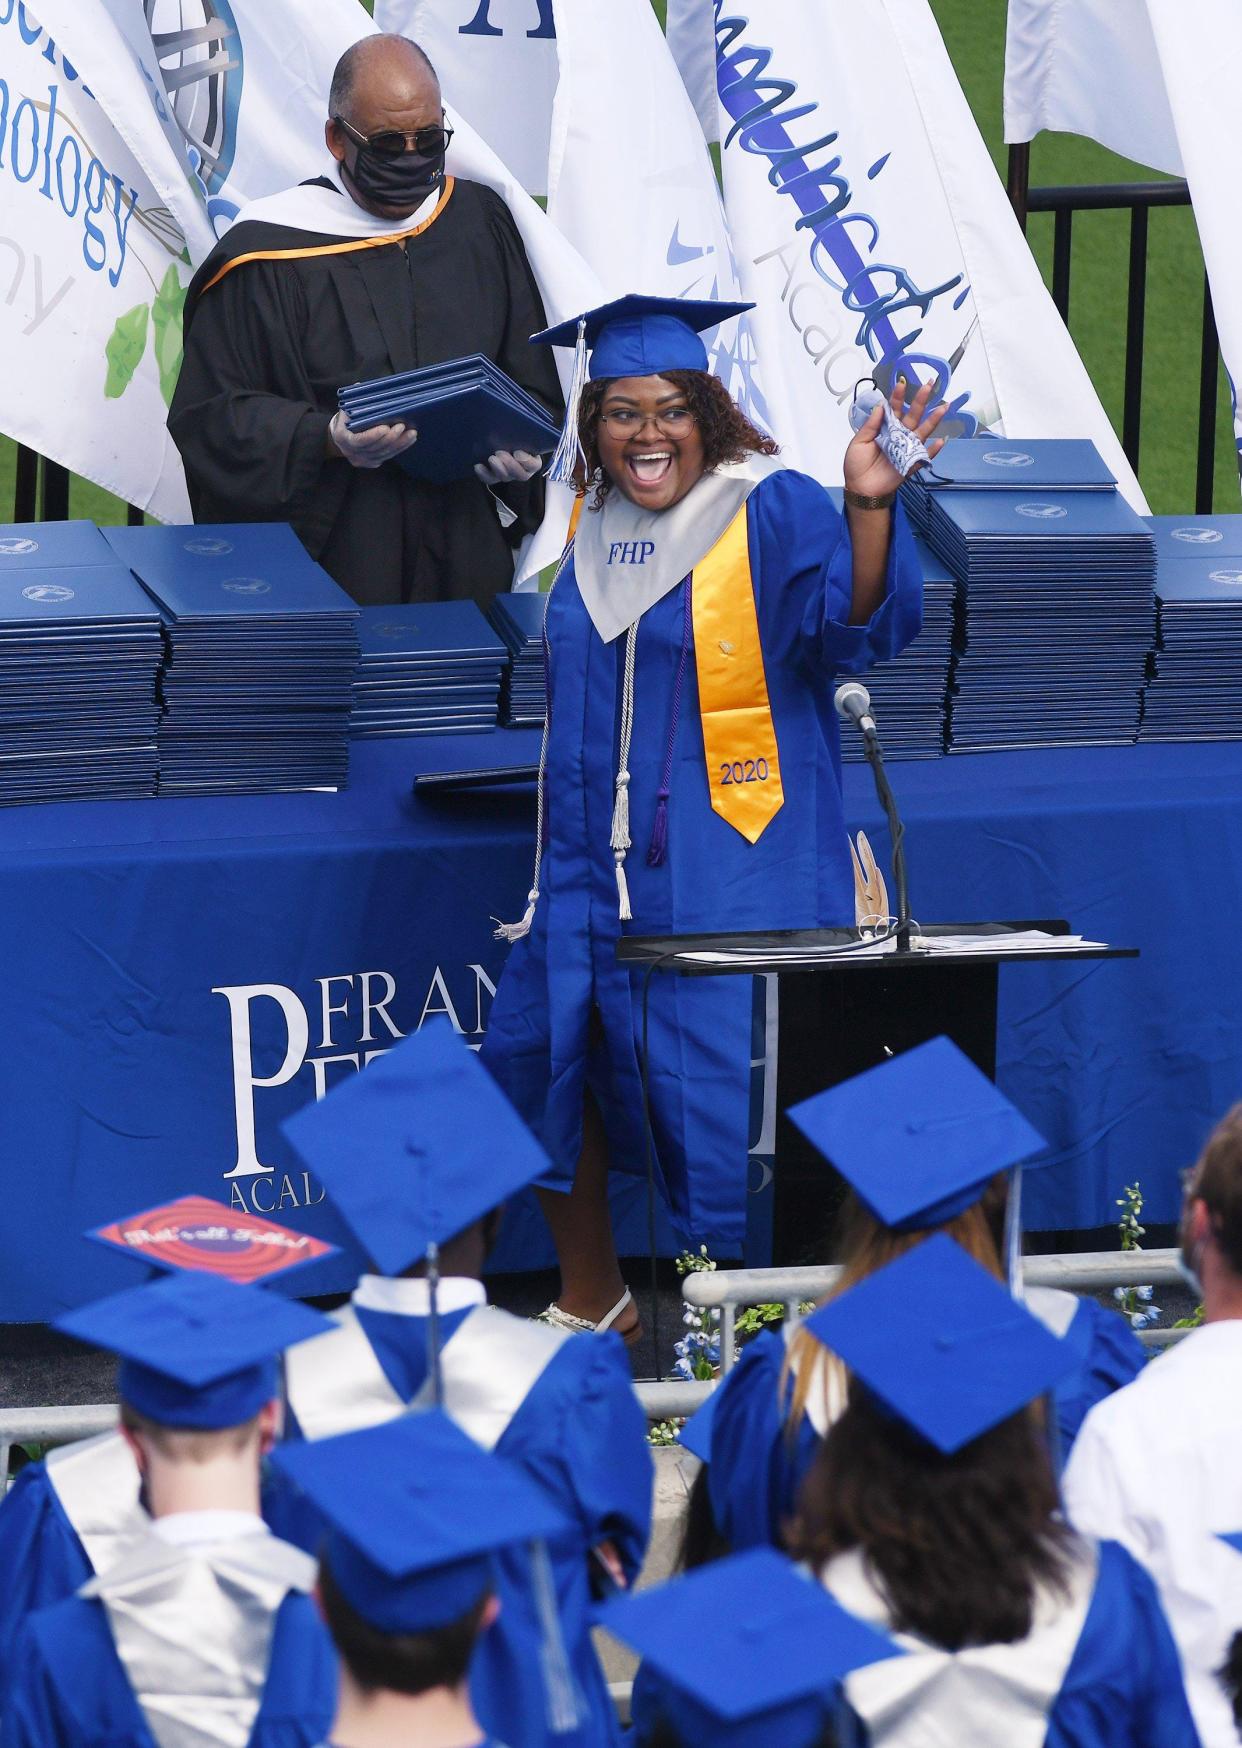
909,693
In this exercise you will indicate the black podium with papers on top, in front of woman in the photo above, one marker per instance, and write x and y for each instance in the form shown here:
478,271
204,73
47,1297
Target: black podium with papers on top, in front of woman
846,1006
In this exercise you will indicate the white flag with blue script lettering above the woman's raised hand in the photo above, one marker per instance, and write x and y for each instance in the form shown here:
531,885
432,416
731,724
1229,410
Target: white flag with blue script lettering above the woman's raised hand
873,230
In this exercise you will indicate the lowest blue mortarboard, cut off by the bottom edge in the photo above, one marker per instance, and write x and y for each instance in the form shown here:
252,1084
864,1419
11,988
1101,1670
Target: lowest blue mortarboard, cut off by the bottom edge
780,1647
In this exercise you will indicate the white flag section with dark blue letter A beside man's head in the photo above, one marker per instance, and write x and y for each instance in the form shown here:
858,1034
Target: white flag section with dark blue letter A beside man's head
499,67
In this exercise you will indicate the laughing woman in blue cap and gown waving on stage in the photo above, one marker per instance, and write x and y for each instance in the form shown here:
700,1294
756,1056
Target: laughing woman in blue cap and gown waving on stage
693,770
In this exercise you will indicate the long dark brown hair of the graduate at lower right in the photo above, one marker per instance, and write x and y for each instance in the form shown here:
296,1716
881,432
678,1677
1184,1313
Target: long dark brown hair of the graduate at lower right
956,1544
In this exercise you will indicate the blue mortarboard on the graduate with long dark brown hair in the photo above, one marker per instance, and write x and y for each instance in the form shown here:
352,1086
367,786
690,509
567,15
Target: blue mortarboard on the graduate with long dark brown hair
942,1345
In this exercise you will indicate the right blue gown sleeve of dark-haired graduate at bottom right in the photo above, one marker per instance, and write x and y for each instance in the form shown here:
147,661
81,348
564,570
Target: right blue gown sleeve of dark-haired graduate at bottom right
1124,1686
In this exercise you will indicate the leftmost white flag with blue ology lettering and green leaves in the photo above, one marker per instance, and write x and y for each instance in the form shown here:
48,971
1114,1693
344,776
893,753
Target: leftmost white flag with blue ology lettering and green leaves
93,274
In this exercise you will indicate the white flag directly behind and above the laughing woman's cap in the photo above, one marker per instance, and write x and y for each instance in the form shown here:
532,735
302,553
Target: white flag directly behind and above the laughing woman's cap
631,184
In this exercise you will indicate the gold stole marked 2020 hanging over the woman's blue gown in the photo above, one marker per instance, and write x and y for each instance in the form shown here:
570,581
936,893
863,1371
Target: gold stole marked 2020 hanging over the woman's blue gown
738,732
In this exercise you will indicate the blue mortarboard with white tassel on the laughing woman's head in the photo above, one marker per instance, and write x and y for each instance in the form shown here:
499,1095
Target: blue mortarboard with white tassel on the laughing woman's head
631,336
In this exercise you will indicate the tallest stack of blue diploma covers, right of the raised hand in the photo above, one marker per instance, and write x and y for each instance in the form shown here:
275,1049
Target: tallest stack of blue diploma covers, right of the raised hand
1056,593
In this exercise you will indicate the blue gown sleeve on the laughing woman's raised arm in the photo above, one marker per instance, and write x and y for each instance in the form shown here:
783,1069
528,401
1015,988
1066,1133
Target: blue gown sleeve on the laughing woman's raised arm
806,567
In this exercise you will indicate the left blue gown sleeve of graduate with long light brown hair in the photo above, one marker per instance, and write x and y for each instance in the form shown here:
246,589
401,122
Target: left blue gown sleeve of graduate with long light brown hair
756,1467
